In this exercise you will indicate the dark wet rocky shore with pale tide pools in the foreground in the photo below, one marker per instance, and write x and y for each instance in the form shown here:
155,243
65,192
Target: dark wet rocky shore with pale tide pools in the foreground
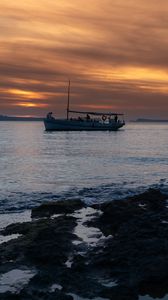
117,250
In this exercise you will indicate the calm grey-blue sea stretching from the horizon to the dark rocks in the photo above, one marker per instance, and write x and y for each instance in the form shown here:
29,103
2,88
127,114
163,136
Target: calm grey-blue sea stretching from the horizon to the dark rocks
94,166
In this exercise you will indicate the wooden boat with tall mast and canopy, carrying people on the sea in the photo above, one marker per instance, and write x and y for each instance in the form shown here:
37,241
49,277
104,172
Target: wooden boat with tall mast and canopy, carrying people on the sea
85,120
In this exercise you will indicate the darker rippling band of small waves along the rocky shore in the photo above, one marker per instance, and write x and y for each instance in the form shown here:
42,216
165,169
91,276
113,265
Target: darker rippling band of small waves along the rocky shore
20,201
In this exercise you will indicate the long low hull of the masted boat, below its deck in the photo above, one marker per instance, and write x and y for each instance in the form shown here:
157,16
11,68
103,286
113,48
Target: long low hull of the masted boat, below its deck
75,125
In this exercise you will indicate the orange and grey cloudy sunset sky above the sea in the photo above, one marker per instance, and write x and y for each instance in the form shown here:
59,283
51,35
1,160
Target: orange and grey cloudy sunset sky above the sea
115,52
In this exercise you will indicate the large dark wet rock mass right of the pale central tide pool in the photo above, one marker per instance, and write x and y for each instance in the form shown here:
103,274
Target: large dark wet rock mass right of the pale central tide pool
138,252
